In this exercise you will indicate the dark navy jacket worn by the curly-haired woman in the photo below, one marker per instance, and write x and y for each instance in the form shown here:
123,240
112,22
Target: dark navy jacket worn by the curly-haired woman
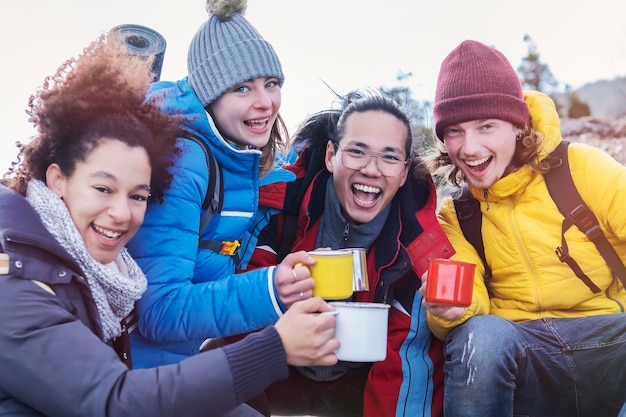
52,358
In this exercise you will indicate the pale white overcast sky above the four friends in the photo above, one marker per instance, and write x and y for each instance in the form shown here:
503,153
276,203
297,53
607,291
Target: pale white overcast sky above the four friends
347,44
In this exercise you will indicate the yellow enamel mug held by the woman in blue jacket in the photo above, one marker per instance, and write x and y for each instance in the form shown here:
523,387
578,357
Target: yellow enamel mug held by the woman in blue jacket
332,274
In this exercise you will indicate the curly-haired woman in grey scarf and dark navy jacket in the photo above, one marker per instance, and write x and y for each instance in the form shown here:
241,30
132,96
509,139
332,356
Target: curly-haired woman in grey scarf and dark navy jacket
75,197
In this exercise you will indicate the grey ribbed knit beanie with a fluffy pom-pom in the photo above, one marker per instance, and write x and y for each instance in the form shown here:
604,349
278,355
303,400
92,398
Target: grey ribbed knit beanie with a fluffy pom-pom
228,50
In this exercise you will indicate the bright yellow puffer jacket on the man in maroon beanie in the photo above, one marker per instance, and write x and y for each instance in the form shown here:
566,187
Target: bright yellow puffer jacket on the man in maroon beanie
522,227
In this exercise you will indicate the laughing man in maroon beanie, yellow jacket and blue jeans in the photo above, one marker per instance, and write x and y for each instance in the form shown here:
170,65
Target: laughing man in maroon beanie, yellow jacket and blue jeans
536,340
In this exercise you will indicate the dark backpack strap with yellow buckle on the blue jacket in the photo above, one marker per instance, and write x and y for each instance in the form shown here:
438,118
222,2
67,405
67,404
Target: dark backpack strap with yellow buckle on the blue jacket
213,202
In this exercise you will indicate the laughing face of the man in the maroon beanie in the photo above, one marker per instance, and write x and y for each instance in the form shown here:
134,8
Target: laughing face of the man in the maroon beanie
482,149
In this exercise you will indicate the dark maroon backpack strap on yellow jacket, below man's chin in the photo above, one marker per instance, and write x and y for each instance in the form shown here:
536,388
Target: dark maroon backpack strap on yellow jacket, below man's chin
471,221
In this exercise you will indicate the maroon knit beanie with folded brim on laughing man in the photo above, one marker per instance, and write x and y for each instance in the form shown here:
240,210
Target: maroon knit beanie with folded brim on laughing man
477,82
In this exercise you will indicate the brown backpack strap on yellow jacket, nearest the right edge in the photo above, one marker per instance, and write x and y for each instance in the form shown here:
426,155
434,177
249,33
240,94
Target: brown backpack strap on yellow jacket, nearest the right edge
567,198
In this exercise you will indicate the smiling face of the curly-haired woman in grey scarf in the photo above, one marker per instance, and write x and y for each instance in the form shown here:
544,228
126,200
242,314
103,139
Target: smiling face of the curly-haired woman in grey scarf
106,196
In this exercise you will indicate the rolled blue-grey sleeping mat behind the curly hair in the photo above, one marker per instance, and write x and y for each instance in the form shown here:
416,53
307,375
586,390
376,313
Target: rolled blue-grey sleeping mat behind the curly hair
144,41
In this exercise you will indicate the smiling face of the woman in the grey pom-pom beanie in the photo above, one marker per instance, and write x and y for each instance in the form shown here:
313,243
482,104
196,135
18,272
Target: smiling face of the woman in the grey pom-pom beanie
246,113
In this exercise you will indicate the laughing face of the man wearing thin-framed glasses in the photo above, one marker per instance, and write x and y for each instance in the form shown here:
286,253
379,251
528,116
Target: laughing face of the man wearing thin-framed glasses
364,193
